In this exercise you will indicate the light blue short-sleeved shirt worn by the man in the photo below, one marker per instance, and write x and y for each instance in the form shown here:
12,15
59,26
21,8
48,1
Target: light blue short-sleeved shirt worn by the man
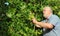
54,20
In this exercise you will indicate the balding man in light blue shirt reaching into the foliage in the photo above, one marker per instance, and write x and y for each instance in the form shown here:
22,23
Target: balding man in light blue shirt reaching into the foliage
51,25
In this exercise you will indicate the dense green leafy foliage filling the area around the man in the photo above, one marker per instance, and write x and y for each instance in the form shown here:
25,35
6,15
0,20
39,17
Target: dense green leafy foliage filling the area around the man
16,16
